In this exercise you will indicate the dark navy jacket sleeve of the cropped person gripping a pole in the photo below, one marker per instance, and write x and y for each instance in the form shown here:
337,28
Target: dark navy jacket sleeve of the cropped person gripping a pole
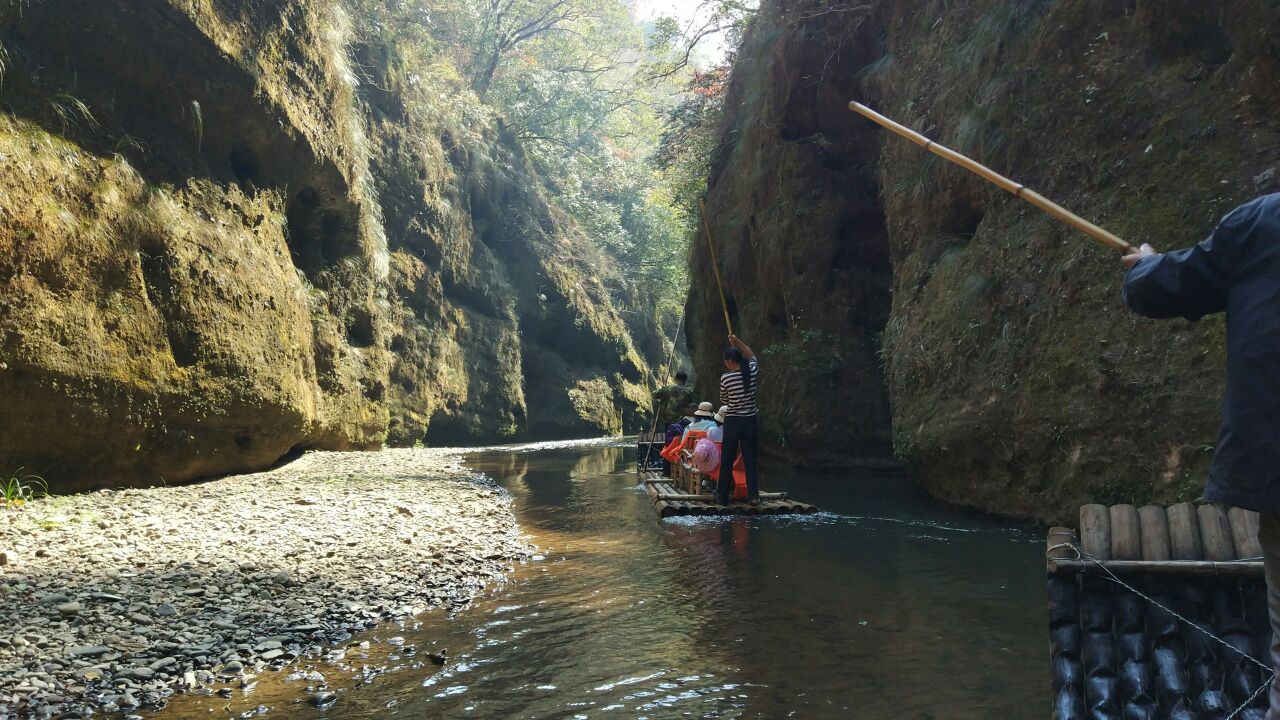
1186,284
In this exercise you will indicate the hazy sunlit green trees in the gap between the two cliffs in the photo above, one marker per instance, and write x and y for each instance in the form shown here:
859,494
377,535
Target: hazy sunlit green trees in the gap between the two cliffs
592,94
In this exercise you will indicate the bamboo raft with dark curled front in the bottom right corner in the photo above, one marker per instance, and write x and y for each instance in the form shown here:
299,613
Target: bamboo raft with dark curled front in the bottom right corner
1117,650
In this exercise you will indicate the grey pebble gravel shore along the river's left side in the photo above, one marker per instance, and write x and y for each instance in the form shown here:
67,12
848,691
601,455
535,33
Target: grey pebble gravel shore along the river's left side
115,600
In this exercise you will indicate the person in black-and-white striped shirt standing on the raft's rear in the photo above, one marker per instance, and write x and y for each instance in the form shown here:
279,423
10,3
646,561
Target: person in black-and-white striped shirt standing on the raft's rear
742,432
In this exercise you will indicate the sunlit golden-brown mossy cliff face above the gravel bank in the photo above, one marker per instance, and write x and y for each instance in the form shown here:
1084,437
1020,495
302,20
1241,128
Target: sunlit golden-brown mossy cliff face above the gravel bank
195,270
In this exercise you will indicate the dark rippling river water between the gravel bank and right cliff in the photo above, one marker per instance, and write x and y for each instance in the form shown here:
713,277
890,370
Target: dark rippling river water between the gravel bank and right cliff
888,605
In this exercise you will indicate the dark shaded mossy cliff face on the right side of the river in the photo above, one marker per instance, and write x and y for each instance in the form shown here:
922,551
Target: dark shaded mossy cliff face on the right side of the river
1018,382
